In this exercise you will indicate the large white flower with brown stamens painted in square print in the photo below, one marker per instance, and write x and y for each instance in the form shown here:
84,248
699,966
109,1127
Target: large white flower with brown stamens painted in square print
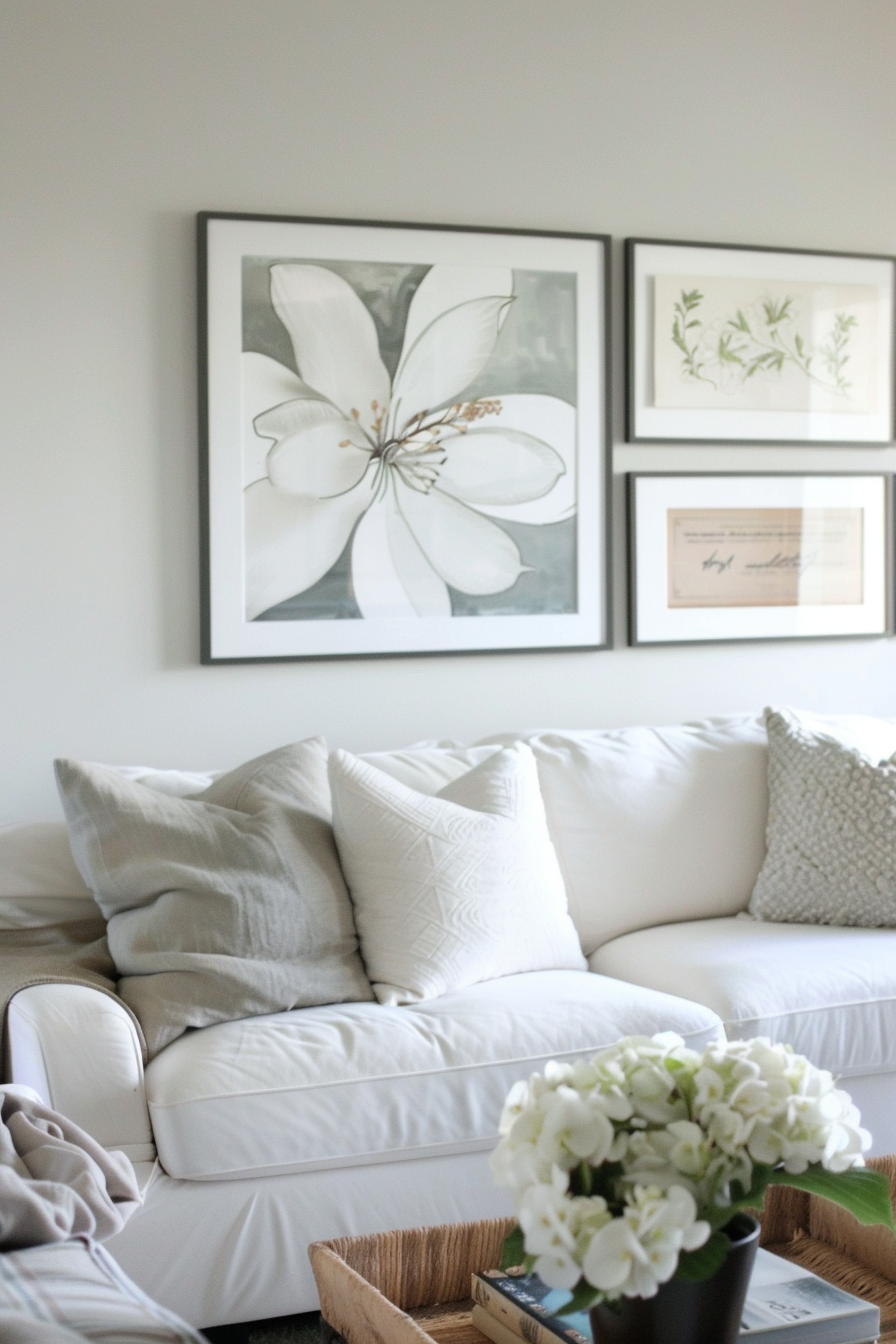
417,475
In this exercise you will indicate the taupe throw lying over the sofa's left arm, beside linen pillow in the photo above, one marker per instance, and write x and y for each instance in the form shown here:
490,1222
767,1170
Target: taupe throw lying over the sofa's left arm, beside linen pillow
75,954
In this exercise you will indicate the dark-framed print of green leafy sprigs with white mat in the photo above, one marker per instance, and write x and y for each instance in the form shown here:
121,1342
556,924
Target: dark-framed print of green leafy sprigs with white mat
749,345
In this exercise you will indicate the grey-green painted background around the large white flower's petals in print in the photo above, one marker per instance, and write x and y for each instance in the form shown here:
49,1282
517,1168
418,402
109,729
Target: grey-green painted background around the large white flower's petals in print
535,353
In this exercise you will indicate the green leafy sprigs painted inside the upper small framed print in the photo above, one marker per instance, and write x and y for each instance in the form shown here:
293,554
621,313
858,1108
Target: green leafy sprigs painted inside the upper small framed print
761,341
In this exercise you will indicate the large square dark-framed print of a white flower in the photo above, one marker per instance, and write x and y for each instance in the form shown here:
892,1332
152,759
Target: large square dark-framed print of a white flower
405,439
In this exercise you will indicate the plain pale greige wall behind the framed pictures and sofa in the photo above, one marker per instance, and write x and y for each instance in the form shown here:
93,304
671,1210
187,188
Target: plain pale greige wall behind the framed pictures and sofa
770,123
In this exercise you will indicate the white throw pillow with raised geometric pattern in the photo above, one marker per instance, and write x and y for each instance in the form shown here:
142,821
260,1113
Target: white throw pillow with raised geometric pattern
455,888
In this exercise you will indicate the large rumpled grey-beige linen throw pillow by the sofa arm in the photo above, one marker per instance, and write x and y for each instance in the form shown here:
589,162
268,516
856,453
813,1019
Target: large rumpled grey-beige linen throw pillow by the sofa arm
226,905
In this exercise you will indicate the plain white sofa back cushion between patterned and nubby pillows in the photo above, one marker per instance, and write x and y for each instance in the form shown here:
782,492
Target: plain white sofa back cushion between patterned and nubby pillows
655,826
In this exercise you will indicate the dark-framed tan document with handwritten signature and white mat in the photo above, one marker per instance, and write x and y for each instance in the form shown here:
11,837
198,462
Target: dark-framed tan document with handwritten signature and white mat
756,557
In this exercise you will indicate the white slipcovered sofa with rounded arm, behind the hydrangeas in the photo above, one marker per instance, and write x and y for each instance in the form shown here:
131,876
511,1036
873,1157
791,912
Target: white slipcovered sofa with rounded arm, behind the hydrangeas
256,1138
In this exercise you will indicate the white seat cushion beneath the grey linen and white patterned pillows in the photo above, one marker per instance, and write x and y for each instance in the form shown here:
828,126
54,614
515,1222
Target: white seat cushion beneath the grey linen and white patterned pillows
362,1084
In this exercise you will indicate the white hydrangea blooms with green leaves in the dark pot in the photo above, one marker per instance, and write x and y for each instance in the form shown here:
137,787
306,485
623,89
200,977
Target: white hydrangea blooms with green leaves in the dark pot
625,1169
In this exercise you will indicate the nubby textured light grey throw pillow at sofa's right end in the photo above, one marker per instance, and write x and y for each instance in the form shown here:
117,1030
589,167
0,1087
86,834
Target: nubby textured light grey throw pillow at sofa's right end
832,833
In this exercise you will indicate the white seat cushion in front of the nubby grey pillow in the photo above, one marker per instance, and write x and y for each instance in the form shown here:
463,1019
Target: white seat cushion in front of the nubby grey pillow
828,993
